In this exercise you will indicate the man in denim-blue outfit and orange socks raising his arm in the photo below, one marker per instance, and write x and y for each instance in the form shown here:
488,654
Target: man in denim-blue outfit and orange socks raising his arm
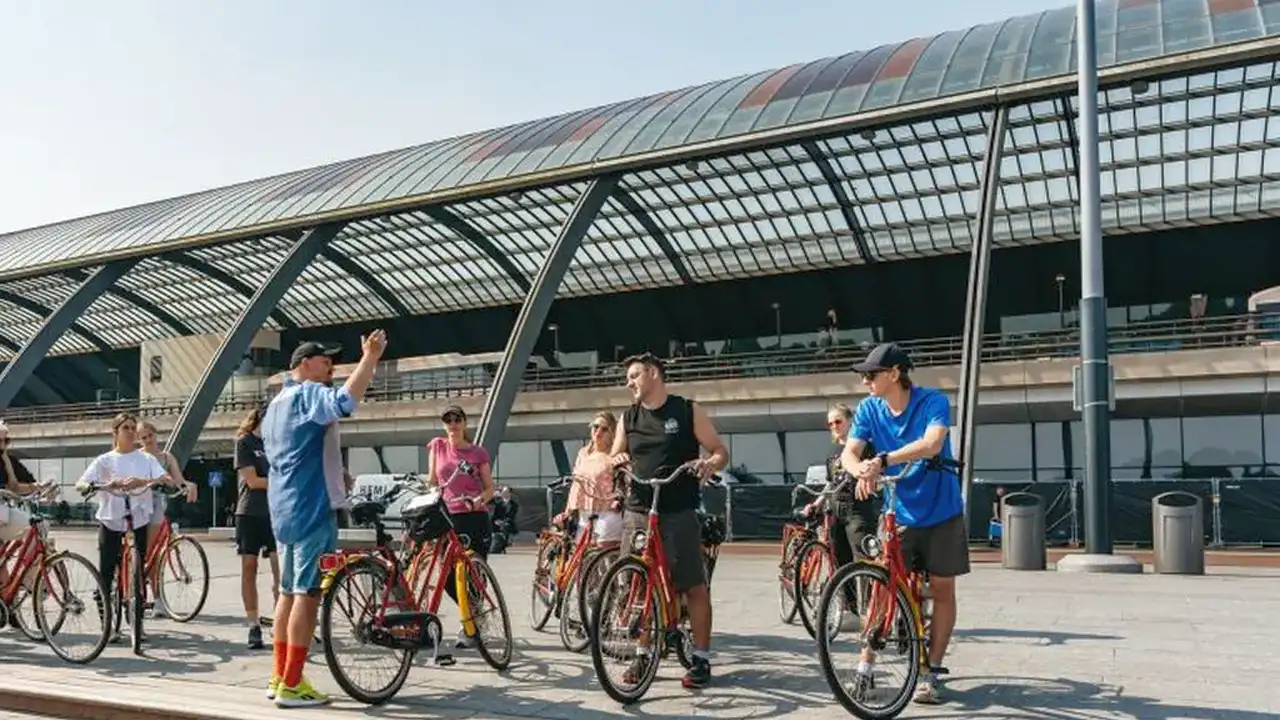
303,520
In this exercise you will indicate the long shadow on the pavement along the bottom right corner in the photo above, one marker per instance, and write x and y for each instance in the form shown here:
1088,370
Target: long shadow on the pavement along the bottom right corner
1067,700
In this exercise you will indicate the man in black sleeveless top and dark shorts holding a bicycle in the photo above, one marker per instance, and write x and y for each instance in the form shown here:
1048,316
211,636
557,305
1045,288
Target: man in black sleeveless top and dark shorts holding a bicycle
659,434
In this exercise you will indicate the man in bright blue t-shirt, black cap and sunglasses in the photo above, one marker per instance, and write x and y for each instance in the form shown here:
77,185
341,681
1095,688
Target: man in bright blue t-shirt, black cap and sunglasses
909,423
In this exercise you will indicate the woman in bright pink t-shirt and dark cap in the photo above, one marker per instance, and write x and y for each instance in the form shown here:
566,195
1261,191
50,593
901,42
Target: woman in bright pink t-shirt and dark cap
461,471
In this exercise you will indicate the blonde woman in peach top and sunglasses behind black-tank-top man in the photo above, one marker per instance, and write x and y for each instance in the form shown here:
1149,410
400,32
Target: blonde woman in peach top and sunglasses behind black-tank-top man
592,493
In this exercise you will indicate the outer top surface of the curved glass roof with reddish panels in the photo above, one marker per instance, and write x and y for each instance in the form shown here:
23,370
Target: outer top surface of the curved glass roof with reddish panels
1025,48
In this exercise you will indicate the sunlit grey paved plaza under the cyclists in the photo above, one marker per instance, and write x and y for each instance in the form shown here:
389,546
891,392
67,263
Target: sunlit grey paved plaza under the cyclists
1030,645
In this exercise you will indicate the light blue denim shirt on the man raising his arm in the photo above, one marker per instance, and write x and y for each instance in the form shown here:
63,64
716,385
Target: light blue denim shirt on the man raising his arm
294,432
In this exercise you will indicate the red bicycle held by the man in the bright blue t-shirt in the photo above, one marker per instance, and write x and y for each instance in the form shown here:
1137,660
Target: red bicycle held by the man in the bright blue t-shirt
892,612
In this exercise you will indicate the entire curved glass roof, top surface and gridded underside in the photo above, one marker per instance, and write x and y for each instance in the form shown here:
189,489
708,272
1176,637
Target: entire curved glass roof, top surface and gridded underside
867,158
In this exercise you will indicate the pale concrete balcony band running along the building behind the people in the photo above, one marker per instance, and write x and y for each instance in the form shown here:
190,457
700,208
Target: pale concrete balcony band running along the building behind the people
1148,385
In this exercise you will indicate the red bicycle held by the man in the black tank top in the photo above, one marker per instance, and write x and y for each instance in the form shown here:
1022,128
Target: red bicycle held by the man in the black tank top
638,605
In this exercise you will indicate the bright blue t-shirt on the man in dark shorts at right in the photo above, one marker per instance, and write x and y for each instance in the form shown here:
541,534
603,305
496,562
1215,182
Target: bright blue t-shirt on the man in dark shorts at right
925,496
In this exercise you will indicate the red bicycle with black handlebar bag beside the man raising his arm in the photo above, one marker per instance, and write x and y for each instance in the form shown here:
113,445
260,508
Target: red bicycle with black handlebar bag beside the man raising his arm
390,601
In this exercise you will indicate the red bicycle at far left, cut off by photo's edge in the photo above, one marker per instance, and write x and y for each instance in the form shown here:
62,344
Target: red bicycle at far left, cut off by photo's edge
63,587
